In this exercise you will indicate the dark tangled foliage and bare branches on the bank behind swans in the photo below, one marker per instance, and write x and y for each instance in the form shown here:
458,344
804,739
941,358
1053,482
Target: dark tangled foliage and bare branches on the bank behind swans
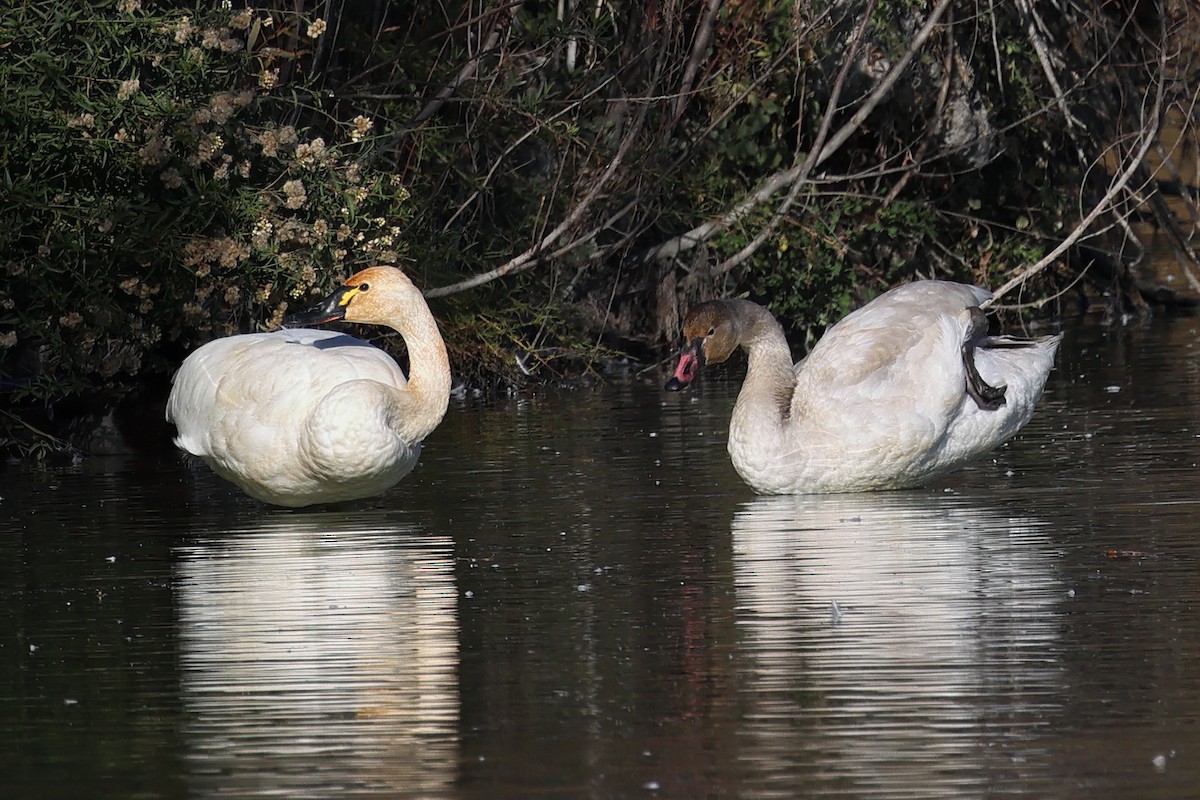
565,179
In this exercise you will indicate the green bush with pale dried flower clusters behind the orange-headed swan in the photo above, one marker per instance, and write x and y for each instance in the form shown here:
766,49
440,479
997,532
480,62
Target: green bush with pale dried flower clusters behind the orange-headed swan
154,197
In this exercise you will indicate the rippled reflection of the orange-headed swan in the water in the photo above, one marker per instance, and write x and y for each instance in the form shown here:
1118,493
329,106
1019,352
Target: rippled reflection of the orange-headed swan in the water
320,658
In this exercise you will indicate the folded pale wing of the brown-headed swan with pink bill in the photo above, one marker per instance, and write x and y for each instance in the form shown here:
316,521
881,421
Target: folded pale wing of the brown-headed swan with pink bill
885,390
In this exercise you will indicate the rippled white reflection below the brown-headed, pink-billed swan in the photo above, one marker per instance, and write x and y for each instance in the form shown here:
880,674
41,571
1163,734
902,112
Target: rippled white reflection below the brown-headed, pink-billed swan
903,646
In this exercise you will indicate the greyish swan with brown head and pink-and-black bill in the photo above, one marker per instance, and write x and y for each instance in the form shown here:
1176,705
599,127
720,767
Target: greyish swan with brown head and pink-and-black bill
905,389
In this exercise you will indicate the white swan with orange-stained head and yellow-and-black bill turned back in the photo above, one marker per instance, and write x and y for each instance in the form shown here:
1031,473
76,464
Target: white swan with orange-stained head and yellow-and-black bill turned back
302,417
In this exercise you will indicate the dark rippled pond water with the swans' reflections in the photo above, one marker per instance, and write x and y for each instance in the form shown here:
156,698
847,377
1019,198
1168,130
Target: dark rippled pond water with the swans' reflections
577,598
